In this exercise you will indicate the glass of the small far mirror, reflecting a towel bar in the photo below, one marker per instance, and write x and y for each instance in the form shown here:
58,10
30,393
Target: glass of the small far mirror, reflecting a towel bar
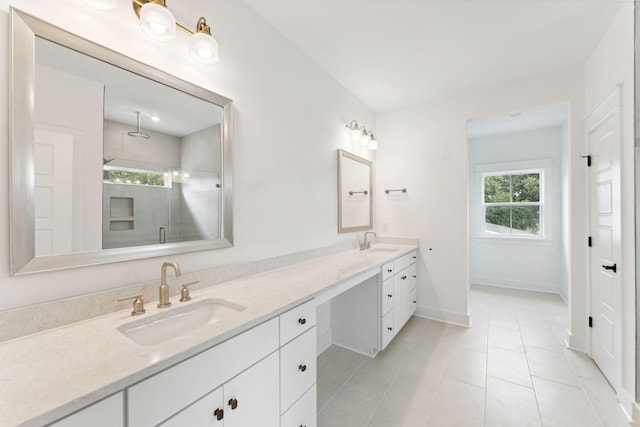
355,197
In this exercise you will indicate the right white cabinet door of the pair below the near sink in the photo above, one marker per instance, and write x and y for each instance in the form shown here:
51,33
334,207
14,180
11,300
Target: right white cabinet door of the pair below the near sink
252,398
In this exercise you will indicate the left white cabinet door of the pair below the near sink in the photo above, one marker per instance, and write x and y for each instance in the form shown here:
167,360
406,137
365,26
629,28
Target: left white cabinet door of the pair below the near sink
204,413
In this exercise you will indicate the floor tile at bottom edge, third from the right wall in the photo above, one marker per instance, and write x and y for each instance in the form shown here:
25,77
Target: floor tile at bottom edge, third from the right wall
510,405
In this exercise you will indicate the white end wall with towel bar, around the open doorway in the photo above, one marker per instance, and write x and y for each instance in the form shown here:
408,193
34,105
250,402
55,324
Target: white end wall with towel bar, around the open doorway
424,149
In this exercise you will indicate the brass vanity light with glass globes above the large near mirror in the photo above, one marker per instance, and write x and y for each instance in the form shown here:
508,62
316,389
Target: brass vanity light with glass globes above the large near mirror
157,21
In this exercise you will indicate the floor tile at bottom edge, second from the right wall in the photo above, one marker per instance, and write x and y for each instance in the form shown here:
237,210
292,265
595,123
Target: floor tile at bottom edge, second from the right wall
563,406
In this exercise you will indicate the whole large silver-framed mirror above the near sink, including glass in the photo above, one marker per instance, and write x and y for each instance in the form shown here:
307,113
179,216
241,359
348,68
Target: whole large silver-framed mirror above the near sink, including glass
111,159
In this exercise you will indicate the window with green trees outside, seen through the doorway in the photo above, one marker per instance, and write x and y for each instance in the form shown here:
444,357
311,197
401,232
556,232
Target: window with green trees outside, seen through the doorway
512,203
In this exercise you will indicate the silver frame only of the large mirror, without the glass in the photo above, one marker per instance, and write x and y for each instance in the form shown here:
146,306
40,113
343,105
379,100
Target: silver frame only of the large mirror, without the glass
22,259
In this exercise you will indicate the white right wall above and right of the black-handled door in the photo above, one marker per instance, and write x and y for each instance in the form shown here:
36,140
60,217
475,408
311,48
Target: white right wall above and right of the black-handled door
611,64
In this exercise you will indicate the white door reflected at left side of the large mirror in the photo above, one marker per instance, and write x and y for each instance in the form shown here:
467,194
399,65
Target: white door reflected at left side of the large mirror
53,153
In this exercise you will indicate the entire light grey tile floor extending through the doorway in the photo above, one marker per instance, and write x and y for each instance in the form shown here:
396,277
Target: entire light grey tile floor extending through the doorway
510,369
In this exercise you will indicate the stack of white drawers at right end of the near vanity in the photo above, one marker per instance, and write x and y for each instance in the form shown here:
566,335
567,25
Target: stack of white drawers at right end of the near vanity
298,370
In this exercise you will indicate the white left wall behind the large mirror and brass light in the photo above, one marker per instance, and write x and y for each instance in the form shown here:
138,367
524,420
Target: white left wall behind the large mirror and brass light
290,119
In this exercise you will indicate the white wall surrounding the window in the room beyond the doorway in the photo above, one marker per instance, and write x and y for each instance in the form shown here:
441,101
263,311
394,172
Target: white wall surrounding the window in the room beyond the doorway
533,264
